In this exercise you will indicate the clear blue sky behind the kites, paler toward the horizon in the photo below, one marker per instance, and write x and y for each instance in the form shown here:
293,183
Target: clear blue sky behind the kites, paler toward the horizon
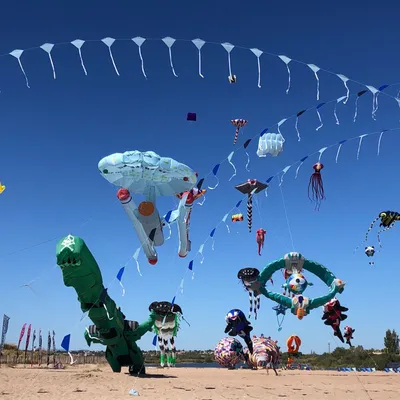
54,134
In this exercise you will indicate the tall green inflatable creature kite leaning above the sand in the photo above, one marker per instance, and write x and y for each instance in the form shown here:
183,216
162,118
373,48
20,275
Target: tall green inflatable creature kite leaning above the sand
81,271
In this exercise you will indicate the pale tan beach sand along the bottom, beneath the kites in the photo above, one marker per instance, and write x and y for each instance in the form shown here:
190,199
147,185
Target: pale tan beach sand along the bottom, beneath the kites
97,382
